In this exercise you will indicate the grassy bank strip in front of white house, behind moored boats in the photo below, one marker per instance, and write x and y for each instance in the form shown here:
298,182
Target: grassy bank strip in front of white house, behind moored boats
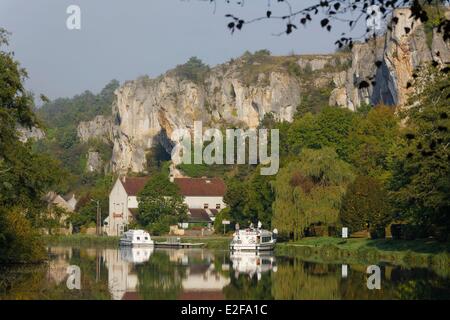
92,240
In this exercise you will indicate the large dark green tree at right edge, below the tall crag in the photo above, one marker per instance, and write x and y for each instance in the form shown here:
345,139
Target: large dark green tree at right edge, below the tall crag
420,182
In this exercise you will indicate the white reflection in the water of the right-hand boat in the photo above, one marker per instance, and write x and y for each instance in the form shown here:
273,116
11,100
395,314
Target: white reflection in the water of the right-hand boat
252,263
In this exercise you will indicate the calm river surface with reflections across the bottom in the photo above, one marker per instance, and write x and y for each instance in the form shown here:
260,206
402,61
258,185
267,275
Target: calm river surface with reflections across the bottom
145,273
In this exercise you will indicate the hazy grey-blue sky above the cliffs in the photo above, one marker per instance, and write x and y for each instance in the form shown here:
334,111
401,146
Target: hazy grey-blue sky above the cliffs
126,39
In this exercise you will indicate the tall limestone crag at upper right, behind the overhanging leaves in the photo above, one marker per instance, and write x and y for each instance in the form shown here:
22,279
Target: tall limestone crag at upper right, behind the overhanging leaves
398,53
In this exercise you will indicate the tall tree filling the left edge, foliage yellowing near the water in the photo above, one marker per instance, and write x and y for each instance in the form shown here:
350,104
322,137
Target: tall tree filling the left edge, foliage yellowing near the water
25,176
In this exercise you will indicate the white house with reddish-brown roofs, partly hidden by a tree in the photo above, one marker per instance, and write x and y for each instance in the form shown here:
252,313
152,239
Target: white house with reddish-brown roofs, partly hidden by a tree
203,197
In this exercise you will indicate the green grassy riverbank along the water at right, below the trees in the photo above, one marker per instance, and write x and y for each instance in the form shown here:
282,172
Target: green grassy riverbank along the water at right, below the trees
409,254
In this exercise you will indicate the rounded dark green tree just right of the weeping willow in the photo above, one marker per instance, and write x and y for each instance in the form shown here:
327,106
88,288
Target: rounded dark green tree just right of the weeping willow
365,205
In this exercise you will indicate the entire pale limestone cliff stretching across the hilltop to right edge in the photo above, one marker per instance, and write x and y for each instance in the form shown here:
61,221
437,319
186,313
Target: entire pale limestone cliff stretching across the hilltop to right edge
241,92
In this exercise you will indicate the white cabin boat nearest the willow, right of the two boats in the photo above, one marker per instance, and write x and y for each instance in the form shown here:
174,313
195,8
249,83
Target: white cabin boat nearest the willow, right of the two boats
253,240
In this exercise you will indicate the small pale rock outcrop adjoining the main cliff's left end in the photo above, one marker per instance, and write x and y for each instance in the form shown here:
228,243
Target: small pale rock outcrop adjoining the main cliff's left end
100,127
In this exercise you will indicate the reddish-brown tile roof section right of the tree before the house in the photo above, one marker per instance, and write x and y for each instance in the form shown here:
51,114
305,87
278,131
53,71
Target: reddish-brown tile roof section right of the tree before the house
203,187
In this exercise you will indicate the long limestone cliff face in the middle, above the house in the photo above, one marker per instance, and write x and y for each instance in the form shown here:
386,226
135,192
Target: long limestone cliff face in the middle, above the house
148,110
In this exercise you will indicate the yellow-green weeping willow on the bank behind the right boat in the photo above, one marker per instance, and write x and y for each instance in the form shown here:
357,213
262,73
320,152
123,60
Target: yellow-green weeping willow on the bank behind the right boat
308,191
